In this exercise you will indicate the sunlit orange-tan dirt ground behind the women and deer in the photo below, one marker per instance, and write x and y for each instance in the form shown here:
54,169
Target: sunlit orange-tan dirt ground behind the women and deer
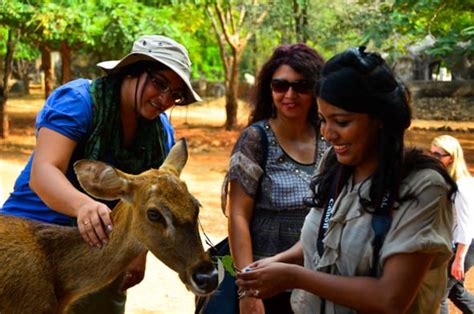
209,147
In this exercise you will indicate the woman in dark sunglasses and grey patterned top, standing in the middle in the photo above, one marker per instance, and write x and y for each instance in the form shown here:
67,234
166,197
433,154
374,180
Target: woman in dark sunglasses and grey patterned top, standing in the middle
272,164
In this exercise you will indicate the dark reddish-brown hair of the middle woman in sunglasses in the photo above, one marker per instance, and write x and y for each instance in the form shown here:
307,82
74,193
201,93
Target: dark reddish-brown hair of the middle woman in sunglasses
301,58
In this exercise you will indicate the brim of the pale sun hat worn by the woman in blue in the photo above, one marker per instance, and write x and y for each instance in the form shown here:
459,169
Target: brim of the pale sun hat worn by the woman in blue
113,66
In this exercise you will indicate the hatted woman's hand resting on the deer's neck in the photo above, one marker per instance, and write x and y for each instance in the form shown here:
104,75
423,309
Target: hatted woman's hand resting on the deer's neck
94,222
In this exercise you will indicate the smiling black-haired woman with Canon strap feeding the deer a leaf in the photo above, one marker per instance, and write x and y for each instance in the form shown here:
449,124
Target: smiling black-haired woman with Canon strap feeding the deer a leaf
378,238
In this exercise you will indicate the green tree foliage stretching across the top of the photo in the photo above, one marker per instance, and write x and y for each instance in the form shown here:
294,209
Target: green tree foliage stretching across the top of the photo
106,29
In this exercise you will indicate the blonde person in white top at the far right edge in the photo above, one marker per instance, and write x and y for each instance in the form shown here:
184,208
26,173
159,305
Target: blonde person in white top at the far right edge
448,150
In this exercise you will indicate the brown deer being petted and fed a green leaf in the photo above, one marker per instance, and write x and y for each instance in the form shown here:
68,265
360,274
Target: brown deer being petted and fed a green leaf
45,268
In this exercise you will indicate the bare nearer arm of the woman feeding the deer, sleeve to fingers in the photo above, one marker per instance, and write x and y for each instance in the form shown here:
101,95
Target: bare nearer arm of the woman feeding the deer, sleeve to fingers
391,293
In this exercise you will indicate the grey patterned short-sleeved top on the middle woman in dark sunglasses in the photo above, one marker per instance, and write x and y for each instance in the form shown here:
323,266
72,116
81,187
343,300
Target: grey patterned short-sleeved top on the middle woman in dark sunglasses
279,207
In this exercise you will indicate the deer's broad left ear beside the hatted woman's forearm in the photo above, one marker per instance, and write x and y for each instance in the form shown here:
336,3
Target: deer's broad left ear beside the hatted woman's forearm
102,180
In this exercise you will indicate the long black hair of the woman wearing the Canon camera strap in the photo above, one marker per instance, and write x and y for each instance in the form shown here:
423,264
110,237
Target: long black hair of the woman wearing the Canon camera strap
362,82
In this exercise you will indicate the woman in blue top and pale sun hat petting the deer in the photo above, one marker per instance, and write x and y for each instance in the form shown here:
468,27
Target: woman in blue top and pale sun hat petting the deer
119,119
